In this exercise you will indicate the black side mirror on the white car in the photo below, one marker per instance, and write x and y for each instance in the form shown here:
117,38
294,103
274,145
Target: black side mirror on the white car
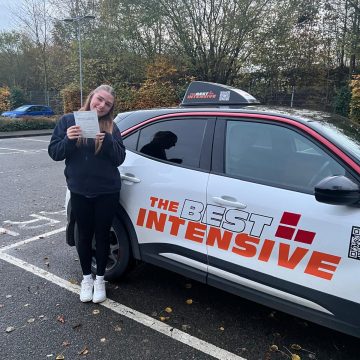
337,190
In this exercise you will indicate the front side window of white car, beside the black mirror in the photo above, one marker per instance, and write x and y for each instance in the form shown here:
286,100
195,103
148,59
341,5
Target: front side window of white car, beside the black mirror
276,155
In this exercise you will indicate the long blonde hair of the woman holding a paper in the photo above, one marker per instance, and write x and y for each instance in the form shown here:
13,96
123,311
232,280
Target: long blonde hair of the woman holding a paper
106,123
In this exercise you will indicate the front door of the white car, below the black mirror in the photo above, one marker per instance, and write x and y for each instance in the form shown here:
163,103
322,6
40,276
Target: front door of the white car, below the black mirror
269,239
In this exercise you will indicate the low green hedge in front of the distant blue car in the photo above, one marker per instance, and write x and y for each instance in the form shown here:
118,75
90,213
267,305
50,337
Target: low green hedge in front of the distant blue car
27,123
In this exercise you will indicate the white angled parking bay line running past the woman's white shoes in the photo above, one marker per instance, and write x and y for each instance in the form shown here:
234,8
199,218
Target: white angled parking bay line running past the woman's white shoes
118,308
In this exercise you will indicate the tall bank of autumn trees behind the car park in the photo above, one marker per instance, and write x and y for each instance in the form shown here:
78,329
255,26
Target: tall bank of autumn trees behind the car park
273,44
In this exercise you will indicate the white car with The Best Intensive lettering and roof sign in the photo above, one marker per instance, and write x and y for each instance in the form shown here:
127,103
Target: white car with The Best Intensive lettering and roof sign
261,202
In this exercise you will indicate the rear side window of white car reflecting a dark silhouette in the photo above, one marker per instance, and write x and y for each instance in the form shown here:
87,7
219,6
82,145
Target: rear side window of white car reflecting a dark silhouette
178,141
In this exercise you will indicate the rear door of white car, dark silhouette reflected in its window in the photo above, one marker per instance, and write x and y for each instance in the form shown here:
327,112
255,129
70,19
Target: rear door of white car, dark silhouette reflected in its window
164,191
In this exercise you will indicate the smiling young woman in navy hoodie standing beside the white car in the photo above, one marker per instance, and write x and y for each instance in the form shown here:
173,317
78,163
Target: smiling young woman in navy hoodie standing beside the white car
94,183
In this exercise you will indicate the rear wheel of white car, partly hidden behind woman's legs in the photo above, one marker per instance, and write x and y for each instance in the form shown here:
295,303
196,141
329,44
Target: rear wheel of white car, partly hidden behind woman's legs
119,254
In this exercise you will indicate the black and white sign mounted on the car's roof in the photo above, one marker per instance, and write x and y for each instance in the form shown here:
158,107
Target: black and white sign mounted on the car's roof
202,93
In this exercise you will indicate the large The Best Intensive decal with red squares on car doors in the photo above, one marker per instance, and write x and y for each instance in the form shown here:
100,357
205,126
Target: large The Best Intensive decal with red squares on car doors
241,233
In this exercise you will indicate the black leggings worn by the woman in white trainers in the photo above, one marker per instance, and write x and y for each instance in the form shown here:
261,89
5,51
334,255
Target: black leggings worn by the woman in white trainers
94,216
